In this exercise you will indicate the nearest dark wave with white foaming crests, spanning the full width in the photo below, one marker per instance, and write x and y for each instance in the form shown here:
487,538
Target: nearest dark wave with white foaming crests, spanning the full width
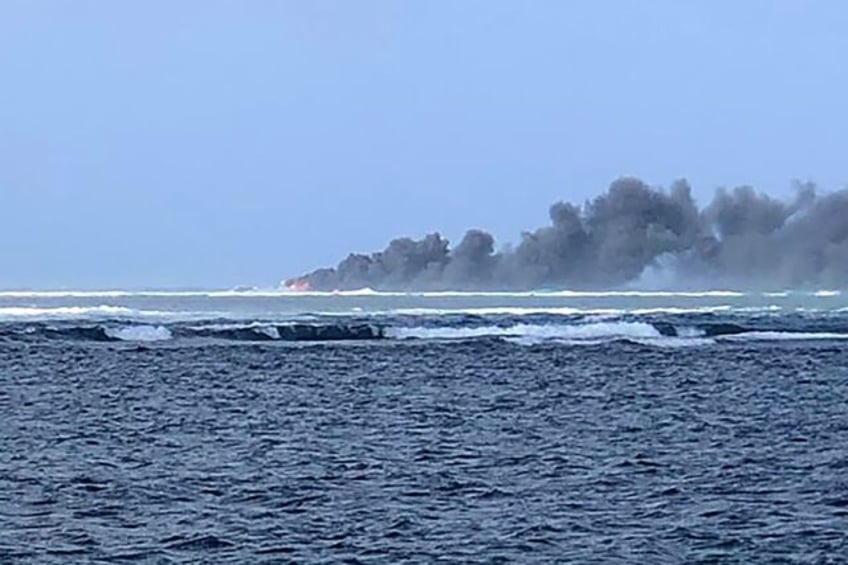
669,332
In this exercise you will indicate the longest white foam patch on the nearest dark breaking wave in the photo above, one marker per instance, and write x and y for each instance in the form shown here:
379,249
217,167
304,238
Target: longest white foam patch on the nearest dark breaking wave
547,331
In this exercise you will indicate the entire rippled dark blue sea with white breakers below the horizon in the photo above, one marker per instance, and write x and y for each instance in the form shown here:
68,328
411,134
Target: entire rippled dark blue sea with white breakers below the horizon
363,427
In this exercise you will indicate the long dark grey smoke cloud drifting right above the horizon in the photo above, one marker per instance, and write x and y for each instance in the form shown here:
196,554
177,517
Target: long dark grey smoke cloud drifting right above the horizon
742,238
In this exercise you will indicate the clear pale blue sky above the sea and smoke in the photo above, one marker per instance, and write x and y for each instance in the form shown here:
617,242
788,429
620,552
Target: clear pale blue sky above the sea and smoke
152,143
